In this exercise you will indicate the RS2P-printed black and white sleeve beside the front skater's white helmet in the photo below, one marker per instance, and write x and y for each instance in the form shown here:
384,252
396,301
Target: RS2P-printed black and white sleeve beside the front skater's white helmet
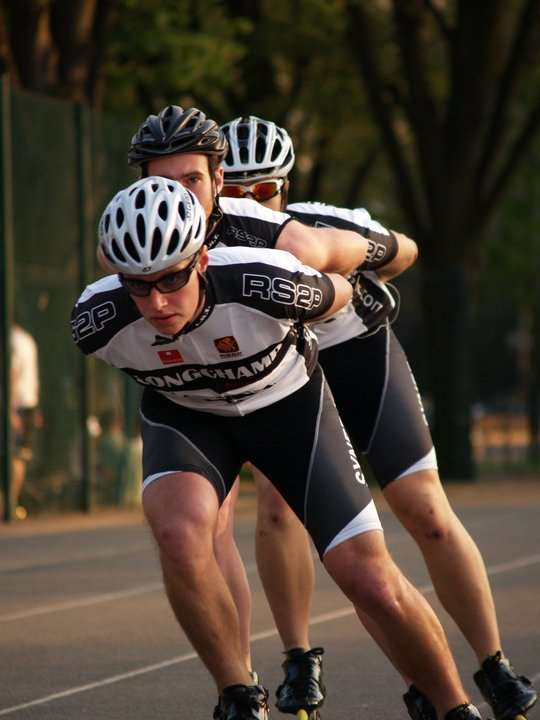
271,281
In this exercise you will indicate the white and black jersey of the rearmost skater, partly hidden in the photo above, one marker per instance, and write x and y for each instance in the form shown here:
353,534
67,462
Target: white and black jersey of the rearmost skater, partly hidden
372,303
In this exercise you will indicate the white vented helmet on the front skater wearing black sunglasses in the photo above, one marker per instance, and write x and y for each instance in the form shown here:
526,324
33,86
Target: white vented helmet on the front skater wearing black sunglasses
151,225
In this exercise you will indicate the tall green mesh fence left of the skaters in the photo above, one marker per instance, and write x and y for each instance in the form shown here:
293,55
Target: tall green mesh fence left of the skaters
51,218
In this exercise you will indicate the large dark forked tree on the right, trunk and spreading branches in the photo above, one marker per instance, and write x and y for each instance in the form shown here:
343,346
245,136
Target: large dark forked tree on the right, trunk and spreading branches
449,85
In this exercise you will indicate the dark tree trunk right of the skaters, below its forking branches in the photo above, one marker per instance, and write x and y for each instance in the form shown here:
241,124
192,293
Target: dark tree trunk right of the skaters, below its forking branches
447,305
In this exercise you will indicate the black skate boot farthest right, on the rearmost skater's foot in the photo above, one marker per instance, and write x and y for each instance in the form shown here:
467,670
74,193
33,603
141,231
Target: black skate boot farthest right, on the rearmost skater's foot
509,695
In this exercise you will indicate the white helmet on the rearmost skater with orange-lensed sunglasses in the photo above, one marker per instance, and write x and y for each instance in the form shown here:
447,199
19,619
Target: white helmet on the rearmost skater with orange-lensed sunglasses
257,149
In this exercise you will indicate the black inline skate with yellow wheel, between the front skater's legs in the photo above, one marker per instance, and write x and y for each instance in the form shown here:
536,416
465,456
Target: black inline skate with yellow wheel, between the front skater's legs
302,692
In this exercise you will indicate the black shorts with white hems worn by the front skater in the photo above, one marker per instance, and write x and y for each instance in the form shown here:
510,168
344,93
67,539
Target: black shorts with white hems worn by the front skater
299,443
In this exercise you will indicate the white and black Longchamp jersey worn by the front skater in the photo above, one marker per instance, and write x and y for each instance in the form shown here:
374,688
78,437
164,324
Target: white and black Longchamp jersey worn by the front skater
247,349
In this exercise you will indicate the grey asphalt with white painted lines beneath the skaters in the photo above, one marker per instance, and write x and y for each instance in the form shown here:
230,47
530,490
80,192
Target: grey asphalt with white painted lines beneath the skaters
86,631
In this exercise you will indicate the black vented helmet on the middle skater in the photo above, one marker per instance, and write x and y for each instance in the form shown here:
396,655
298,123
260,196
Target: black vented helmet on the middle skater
175,131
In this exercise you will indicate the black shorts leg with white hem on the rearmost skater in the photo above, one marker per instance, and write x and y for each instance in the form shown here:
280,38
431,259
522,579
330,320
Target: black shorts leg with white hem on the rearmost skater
378,401
